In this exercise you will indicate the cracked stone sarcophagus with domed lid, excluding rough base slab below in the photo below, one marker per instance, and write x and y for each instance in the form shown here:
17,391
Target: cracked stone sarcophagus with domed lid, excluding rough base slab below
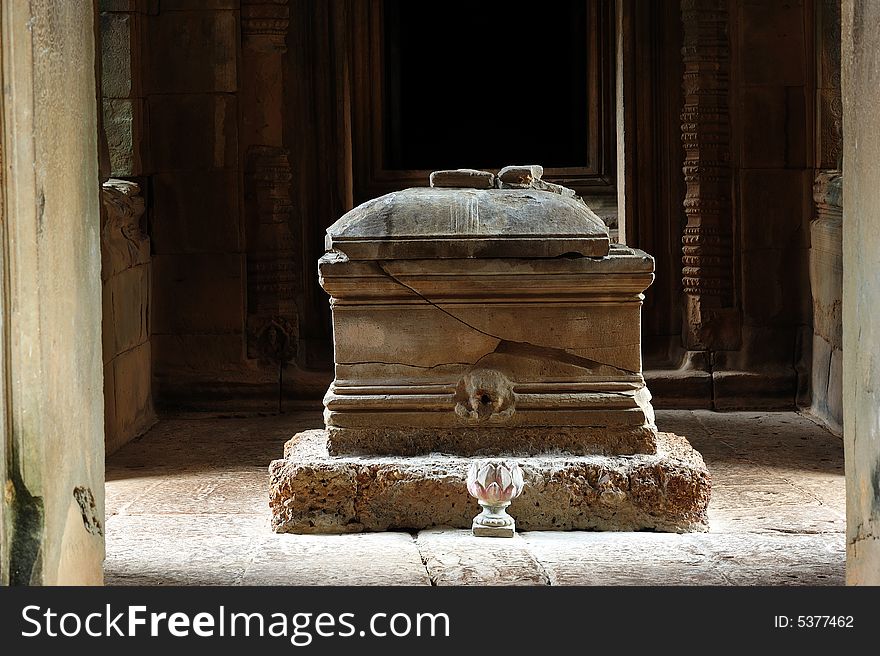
478,321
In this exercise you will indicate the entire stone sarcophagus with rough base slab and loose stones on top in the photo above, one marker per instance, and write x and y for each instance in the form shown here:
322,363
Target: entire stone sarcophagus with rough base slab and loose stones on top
485,316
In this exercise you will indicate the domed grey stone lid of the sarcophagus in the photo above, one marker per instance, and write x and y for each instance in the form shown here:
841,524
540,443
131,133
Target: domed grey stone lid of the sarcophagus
467,222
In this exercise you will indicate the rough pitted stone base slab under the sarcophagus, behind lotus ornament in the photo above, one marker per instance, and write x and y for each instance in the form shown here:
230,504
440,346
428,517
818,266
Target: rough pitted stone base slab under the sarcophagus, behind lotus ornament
314,492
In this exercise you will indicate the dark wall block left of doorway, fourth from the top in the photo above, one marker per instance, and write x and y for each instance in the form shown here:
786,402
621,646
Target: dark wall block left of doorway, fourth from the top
198,293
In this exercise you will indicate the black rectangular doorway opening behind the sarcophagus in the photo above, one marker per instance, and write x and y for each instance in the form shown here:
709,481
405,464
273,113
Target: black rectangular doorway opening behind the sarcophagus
485,84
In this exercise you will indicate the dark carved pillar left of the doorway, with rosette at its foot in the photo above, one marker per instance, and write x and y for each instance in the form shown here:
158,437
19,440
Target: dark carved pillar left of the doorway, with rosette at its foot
272,260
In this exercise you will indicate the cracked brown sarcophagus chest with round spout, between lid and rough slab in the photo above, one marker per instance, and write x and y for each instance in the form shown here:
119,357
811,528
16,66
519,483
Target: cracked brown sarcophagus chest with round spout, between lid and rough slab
412,336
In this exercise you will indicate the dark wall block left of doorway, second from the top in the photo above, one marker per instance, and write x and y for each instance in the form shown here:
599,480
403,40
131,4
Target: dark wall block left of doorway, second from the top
193,132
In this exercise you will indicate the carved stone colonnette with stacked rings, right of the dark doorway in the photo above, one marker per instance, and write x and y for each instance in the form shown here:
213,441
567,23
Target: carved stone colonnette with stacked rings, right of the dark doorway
712,321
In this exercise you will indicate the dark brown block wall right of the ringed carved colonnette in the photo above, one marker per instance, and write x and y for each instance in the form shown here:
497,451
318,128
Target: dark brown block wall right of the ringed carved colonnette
771,134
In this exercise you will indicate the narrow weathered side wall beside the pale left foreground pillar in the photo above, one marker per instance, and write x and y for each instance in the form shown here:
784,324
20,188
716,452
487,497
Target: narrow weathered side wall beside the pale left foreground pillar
126,268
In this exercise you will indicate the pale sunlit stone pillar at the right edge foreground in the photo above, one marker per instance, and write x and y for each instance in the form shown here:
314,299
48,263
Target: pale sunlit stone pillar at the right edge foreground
861,287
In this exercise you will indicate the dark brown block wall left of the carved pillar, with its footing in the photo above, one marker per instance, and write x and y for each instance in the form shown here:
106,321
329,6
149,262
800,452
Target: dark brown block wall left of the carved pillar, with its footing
191,85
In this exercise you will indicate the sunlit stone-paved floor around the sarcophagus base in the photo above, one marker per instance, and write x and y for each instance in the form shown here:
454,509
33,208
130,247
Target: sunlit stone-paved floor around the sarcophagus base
187,504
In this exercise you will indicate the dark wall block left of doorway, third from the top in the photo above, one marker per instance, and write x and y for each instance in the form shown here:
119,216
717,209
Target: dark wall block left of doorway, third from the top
196,212
